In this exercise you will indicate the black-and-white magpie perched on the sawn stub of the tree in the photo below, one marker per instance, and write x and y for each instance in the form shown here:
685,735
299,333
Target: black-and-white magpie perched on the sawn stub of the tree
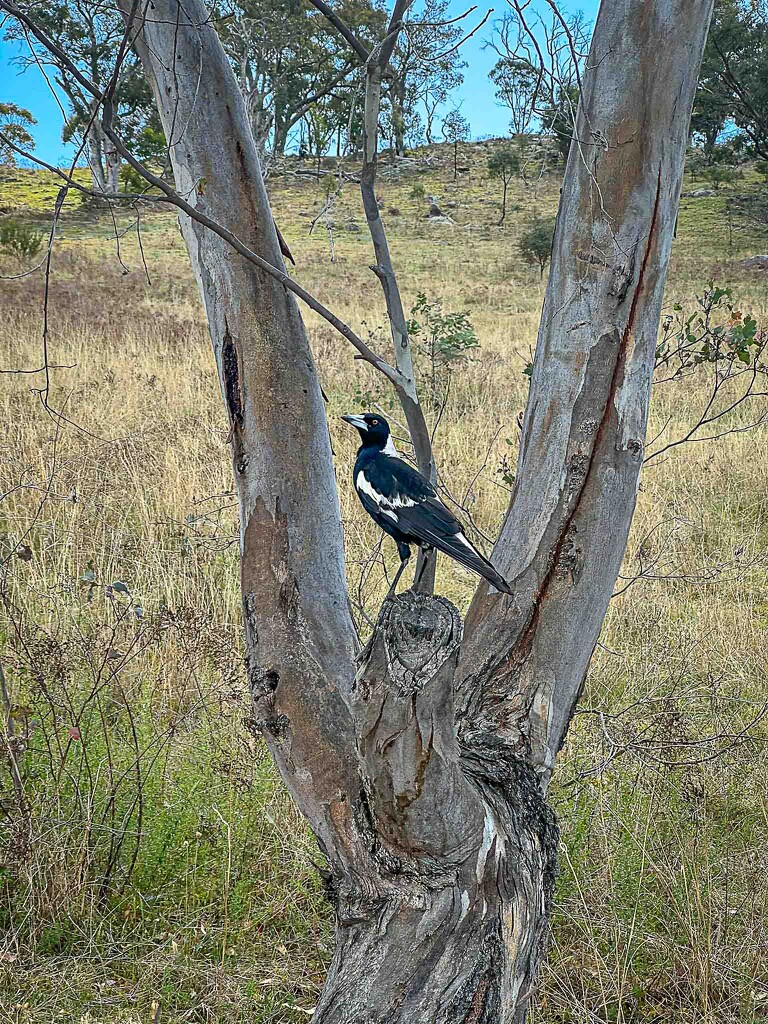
406,505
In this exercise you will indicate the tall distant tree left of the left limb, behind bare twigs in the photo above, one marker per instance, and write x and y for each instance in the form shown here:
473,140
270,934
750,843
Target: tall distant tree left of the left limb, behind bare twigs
91,34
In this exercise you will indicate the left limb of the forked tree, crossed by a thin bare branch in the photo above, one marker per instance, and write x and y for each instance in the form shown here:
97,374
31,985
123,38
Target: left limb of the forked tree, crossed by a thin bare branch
292,554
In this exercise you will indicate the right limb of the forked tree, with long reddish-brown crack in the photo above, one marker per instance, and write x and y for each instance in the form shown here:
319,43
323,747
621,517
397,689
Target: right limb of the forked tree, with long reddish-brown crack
524,666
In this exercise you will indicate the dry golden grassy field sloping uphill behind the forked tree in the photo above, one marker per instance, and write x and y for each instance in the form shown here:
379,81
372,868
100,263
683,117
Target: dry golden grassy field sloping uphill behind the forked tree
151,864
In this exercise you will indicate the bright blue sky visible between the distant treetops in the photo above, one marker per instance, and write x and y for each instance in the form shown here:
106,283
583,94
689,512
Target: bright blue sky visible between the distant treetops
476,97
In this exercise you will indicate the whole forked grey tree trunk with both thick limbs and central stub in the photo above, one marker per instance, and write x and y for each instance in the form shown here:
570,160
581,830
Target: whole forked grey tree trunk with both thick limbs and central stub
423,769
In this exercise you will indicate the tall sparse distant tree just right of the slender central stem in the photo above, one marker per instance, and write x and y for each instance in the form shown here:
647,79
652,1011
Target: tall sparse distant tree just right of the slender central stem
424,70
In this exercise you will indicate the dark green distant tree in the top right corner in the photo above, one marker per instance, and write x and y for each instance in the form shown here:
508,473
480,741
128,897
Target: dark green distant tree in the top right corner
734,83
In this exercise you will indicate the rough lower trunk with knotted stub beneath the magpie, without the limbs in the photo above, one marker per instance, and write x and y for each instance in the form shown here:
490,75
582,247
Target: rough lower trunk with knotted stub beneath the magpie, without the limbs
451,927
